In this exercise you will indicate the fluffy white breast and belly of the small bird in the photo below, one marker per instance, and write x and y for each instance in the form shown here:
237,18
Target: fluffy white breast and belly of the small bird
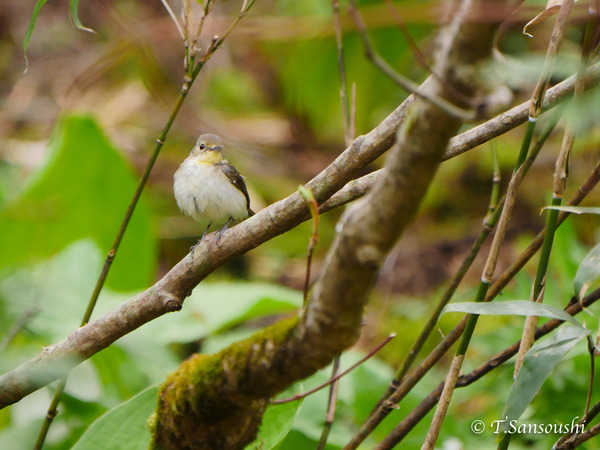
204,192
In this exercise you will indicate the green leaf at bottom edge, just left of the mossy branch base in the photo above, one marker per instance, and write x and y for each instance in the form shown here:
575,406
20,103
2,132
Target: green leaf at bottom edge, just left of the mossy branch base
123,427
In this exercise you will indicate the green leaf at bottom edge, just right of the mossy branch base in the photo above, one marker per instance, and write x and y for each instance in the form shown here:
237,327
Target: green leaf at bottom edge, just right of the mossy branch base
277,421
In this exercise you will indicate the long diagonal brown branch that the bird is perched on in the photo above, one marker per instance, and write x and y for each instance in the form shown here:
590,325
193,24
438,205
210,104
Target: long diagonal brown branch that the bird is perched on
167,294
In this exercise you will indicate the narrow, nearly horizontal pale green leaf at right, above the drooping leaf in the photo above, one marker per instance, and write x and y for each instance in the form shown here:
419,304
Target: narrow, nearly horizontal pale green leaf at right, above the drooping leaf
511,308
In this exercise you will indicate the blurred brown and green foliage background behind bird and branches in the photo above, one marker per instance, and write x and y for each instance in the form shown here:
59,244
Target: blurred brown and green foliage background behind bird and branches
78,127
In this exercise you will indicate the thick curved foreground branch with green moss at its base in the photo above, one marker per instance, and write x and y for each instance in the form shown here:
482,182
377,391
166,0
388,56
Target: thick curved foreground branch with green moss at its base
200,402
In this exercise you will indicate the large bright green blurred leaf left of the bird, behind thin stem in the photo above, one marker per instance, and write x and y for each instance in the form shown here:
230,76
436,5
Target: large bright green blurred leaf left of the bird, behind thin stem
82,191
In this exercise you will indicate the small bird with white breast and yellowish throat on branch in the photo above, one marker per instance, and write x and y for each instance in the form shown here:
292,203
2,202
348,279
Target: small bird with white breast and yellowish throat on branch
209,189
